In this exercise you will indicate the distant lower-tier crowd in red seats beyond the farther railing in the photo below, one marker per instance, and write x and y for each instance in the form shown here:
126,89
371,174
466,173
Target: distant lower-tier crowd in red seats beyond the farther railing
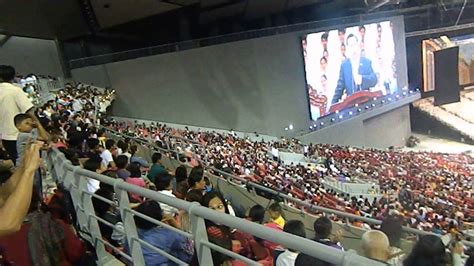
432,191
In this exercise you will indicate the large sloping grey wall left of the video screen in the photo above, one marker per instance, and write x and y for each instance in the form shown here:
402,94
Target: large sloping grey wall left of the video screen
252,85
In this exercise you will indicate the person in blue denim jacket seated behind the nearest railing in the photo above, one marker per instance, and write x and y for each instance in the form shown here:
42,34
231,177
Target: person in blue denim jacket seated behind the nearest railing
160,237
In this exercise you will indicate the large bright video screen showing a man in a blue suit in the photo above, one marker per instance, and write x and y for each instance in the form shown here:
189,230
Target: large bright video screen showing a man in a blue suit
344,63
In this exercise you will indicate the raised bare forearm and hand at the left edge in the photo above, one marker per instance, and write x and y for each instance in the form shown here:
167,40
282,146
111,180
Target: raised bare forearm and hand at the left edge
15,194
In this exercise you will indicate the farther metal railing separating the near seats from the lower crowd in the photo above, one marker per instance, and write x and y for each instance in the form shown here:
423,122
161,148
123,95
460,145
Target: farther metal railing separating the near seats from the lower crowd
287,199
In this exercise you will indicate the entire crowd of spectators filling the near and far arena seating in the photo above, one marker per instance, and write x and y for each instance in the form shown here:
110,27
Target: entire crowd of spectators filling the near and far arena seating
69,123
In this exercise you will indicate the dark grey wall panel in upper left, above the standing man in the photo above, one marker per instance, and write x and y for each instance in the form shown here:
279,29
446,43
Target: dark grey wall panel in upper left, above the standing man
29,55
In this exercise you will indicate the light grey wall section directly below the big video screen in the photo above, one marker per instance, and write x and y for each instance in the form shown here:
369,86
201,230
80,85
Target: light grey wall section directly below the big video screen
391,128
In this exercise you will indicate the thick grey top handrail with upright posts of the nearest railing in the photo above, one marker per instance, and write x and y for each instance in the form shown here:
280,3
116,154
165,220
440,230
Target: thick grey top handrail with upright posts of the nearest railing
197,214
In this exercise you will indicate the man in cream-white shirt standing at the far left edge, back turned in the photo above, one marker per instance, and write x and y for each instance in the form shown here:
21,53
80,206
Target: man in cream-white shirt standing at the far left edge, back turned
13,101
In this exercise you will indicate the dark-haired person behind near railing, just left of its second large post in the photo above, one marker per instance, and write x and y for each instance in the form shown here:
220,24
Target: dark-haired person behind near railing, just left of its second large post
108,212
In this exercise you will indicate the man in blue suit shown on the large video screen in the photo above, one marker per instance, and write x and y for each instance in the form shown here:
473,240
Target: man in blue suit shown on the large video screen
356,72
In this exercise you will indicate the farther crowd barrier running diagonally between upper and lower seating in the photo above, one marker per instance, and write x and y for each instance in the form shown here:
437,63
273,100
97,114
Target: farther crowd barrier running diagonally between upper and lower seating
254,187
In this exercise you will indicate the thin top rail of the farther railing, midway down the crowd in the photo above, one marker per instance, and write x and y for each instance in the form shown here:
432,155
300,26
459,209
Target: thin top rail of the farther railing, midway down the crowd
310,206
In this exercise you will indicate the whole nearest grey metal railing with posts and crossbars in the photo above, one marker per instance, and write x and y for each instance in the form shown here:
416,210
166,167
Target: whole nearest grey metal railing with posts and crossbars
74,179
